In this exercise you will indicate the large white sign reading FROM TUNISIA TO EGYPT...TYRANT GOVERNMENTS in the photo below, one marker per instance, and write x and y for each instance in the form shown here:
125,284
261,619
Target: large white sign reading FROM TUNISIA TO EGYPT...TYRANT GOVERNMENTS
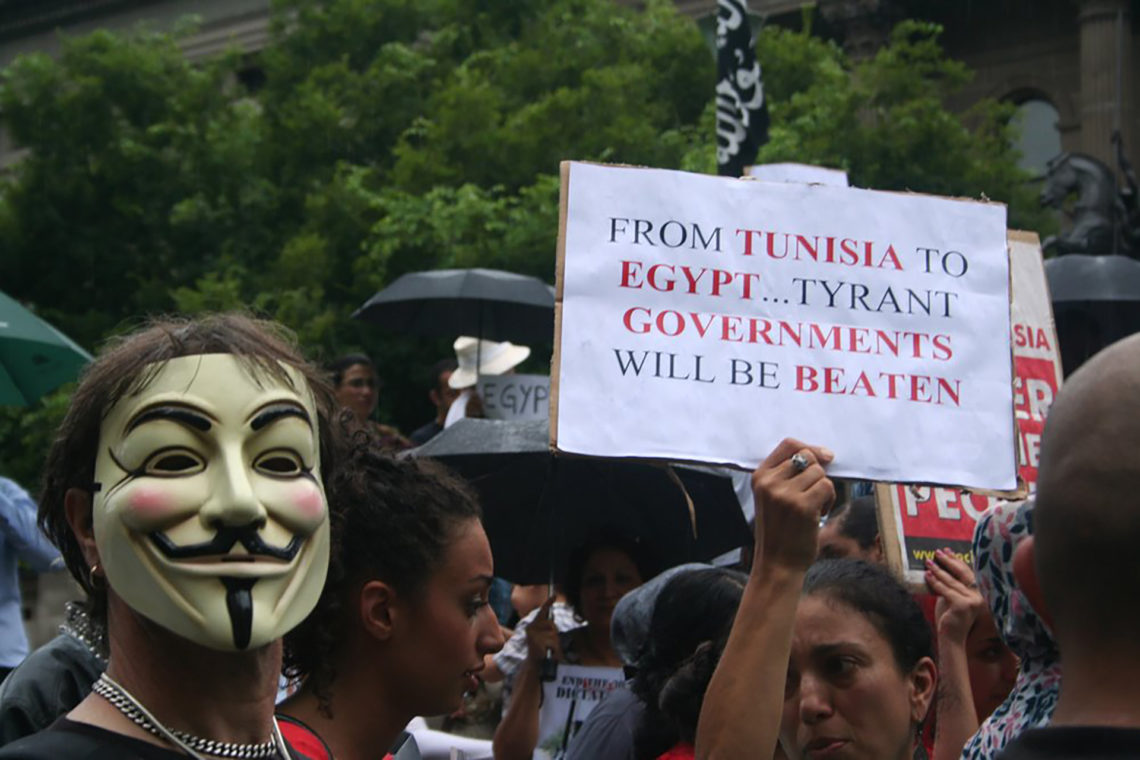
704,320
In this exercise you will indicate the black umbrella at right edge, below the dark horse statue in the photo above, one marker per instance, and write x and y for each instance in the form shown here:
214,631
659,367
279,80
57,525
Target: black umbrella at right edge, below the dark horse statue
1096,303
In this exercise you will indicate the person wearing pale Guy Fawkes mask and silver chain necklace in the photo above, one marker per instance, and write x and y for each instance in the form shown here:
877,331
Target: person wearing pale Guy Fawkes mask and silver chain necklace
184,492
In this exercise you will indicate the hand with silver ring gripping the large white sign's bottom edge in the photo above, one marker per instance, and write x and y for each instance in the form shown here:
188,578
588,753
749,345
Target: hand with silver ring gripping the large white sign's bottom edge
791,499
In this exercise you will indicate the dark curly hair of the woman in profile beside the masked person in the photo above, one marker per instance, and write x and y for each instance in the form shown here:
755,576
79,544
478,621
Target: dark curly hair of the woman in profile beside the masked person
393,520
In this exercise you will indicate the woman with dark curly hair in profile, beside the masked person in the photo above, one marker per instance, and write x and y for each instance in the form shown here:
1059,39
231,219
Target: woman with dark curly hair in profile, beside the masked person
403,625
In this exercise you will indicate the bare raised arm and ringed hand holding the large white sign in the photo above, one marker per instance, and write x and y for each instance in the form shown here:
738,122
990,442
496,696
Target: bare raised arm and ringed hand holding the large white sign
740,717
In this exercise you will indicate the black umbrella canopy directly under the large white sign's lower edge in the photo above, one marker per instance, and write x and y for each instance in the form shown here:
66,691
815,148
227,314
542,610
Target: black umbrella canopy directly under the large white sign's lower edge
539,505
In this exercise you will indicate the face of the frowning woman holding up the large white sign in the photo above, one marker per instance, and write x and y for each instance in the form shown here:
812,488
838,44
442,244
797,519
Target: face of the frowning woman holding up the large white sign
845,697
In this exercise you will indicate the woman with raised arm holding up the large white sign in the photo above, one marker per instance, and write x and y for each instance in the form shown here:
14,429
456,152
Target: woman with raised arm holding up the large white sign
833,660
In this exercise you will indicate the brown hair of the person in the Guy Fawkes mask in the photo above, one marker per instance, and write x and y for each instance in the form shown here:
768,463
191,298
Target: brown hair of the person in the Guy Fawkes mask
126,366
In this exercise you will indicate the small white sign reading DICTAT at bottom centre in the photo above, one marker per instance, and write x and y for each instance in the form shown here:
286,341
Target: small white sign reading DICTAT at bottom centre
567,701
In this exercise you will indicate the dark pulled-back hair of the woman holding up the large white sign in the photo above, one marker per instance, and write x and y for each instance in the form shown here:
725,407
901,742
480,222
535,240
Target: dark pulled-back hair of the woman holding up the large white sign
875,593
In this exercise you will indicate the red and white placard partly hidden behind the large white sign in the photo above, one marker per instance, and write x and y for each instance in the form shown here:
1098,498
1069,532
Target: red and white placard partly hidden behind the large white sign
916,521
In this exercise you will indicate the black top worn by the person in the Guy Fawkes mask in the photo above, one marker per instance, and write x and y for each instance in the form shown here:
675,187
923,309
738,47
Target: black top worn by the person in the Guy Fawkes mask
66,740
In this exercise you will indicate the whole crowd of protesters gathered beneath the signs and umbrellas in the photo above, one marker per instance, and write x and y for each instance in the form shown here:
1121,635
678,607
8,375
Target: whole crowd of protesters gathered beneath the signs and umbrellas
264,577
